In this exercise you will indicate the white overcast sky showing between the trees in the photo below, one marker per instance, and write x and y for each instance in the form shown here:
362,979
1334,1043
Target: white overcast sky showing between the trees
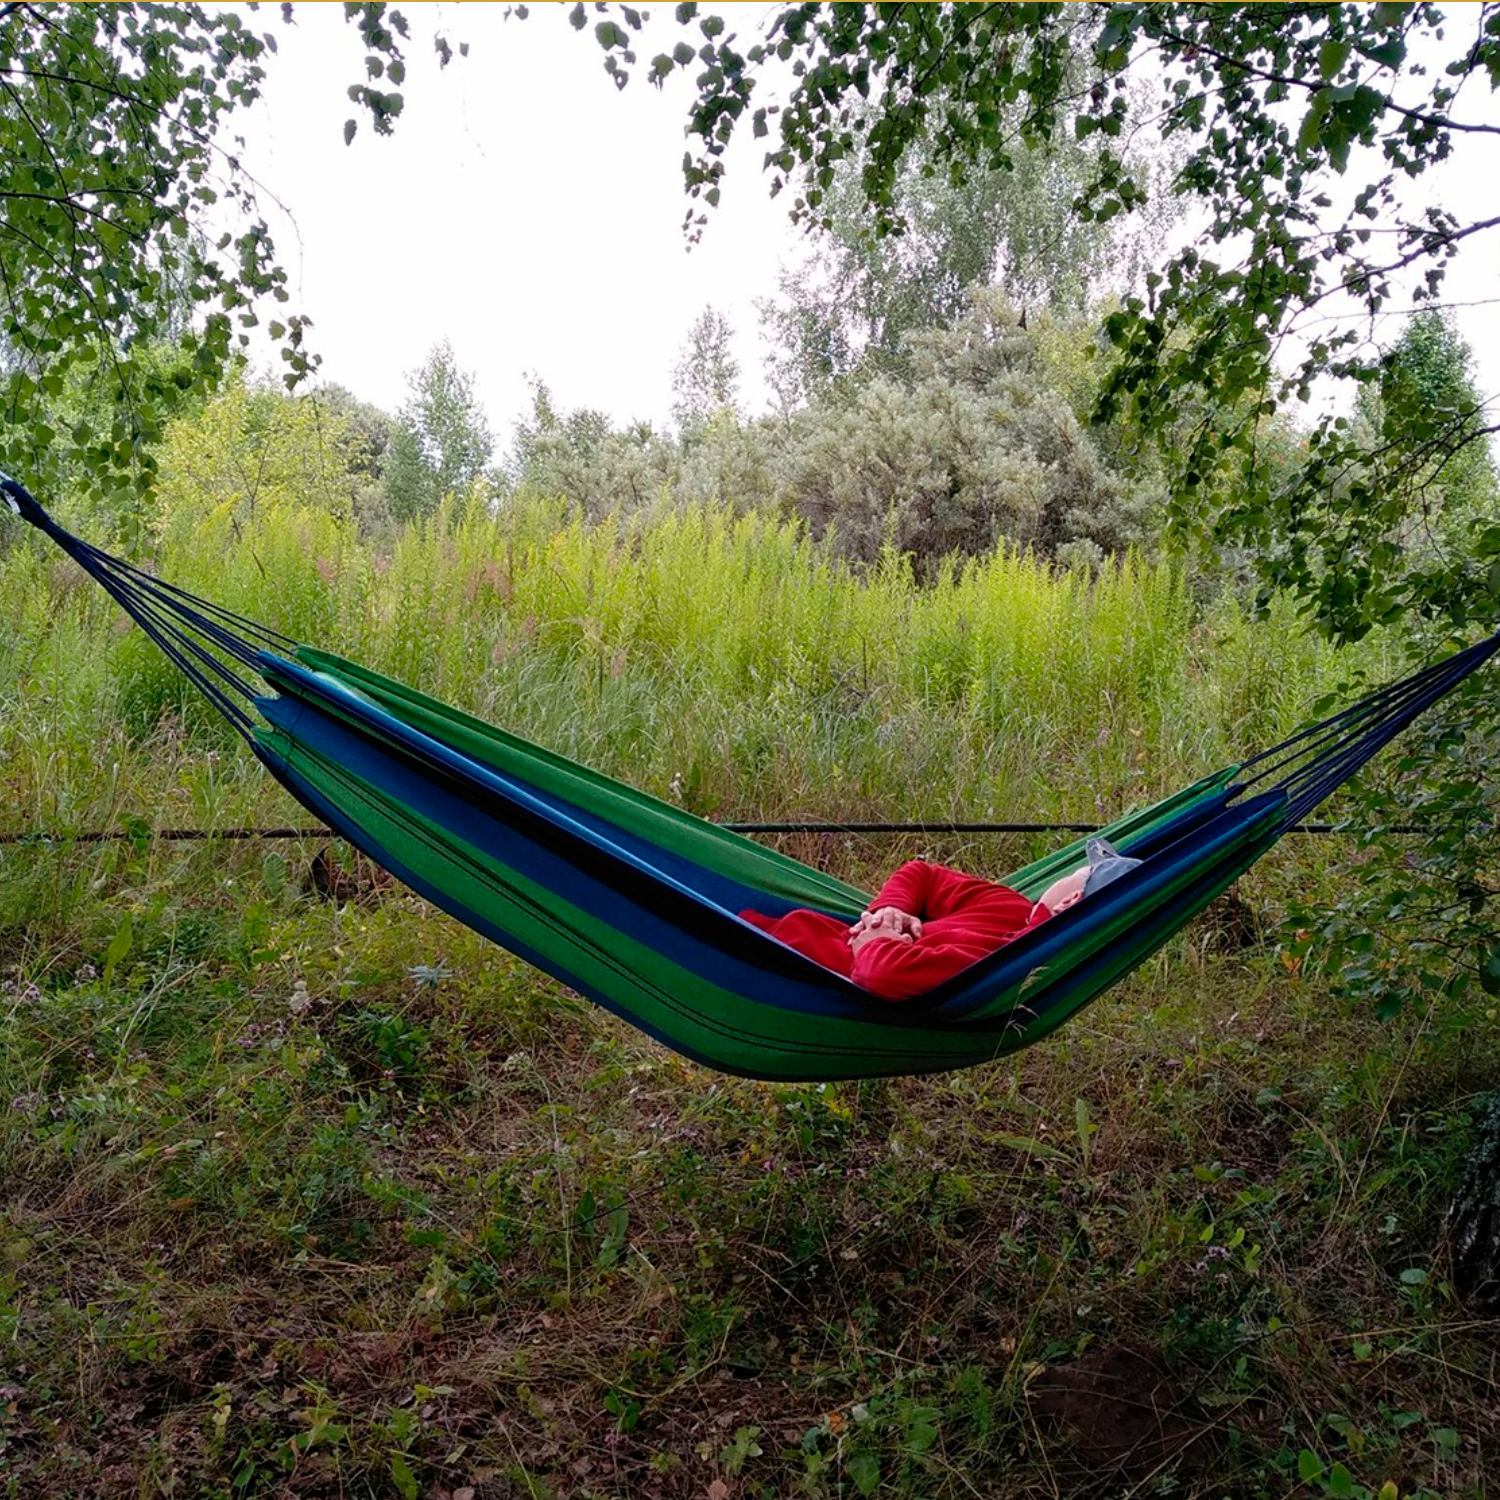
532,215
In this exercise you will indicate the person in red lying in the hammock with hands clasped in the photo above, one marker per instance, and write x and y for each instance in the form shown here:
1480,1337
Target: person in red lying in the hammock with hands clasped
931,922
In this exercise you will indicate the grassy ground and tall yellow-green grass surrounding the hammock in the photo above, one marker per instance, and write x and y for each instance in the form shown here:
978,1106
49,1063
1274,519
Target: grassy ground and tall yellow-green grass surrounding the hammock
326,1198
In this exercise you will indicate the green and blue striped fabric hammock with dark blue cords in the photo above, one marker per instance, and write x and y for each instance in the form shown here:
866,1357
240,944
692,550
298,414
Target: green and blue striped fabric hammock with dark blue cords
635,904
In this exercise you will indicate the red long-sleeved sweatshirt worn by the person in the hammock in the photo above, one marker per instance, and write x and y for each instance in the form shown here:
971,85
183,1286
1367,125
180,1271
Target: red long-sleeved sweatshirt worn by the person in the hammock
964,920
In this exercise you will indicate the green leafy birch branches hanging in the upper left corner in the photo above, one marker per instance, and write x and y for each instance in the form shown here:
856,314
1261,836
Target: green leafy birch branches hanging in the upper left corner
122,289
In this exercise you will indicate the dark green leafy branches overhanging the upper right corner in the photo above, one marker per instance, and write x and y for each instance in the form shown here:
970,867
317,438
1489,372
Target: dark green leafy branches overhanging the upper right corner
1303,128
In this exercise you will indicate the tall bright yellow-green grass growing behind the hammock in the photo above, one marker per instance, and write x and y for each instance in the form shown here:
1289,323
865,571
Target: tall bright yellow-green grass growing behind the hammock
728,661
